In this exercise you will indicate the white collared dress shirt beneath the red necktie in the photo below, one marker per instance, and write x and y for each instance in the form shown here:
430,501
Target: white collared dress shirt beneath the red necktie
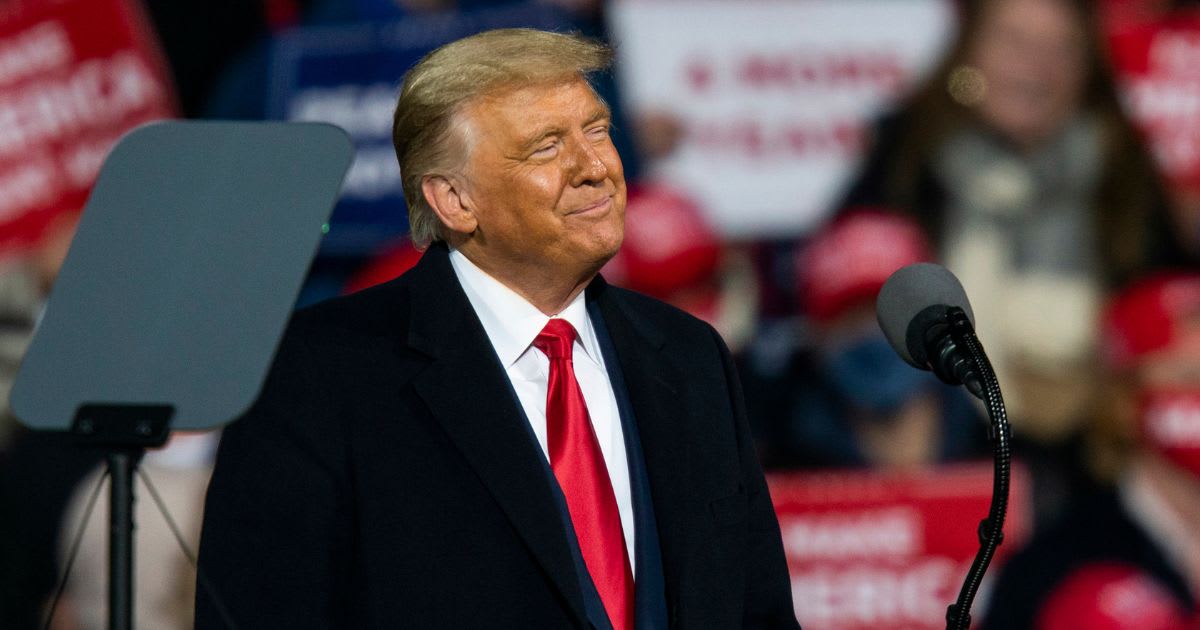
512,325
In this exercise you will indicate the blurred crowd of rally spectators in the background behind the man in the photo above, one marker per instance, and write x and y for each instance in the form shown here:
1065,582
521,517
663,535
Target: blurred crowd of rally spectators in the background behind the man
1019,161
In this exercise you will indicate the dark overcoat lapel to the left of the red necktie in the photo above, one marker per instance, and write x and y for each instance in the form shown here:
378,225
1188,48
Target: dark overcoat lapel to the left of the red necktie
469,393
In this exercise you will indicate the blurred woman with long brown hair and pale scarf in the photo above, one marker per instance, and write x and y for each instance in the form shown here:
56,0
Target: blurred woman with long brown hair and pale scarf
1019,163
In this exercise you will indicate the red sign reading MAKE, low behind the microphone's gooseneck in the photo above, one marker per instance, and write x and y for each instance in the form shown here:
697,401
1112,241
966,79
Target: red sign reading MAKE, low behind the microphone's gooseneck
871,550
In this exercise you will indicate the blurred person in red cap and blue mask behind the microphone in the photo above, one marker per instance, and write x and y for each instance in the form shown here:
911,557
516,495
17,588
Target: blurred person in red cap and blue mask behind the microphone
847,399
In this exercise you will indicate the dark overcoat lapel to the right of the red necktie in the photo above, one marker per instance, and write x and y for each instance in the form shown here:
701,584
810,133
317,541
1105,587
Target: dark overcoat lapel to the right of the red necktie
655,387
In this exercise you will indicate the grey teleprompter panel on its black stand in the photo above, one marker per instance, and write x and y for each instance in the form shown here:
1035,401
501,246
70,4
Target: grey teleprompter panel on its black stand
170,307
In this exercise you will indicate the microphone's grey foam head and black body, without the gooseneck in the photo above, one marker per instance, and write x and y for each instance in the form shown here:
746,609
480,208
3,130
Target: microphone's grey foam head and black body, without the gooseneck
917,309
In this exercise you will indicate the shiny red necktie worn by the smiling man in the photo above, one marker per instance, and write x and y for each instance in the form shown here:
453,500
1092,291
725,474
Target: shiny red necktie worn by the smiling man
579,465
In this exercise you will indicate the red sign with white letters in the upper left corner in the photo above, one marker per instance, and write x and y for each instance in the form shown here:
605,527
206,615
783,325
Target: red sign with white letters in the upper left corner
75,75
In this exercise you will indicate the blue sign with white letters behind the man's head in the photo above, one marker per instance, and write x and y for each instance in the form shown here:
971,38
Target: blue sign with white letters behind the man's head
350,76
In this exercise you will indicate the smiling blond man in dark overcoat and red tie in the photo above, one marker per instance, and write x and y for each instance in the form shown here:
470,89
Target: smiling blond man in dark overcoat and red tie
497,439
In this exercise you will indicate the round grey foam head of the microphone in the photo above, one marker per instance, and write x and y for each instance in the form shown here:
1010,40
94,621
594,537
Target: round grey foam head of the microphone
915,298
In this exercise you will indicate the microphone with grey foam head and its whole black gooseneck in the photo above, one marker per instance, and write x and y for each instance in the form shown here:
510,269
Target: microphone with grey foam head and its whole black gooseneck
927,319
